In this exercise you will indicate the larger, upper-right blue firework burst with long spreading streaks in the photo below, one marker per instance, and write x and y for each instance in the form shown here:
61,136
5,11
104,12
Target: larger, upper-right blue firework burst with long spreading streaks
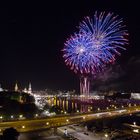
107,32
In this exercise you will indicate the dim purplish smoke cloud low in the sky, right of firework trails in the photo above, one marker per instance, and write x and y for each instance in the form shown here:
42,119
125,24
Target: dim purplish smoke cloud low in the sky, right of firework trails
124,77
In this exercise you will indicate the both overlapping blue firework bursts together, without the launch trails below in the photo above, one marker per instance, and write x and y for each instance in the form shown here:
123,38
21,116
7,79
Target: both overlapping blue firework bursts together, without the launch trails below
98,42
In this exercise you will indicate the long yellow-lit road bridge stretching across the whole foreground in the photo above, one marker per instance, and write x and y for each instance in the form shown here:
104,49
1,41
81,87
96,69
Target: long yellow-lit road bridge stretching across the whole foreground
63,120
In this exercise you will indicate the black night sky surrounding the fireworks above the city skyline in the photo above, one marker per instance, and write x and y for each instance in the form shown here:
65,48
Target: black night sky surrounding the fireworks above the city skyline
32,36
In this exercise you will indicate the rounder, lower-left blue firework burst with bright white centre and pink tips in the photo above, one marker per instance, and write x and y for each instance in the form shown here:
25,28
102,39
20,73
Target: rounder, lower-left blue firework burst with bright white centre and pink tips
80,54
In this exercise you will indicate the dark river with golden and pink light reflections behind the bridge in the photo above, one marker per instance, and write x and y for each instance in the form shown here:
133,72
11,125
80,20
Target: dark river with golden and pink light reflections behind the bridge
73,104
